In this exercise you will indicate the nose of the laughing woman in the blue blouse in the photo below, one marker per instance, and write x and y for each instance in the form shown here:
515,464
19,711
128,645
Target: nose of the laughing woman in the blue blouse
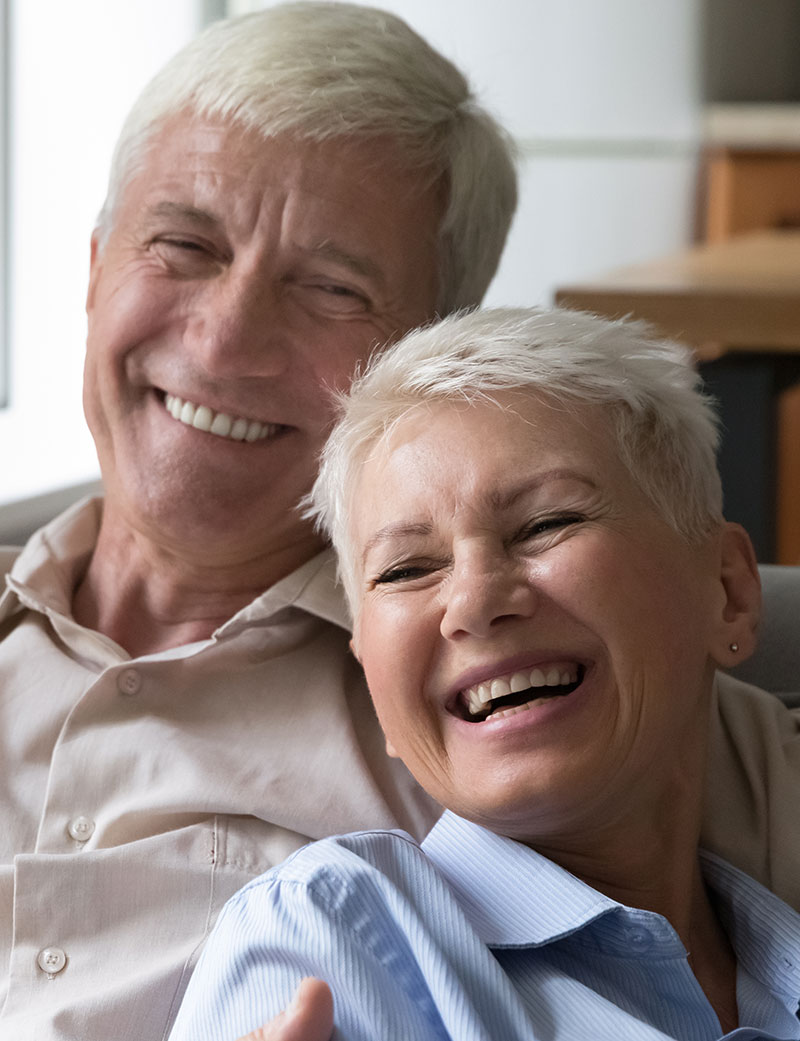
484,595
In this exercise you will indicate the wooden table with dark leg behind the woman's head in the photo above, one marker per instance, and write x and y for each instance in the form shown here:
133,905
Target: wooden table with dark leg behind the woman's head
737,303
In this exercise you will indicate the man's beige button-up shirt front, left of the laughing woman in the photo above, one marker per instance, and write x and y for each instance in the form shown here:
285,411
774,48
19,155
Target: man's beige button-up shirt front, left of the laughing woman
138,795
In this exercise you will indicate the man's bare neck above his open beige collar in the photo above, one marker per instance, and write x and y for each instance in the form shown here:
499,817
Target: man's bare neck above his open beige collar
149,598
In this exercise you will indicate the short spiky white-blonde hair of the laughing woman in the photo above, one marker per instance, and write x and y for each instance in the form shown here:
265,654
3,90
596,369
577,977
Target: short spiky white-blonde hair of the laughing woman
666,428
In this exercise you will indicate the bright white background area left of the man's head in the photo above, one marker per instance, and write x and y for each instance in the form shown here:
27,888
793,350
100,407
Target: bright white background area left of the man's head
78,68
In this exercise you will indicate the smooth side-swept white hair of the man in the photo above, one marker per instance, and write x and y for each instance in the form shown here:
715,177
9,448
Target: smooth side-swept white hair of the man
320,71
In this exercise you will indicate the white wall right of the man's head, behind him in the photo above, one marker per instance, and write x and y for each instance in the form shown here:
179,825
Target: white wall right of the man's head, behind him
604,97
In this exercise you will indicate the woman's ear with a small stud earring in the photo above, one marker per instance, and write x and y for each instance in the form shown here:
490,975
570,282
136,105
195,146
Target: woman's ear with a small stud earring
735,637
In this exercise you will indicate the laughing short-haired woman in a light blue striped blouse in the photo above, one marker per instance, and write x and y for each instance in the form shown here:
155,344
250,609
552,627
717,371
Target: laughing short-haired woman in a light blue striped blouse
529,520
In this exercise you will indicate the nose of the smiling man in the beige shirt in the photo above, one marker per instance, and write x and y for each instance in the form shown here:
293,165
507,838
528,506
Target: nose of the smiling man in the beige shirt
240,326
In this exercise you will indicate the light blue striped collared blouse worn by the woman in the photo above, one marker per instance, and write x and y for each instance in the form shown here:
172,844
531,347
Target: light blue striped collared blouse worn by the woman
481,940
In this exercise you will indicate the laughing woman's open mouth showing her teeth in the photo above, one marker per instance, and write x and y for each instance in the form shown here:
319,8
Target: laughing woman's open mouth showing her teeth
518,692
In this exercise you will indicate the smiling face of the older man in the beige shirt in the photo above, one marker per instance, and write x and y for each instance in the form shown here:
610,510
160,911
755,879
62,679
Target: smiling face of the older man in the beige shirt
245,277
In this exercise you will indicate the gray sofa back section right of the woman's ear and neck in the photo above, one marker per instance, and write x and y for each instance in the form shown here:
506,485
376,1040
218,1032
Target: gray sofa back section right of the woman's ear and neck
777,664
